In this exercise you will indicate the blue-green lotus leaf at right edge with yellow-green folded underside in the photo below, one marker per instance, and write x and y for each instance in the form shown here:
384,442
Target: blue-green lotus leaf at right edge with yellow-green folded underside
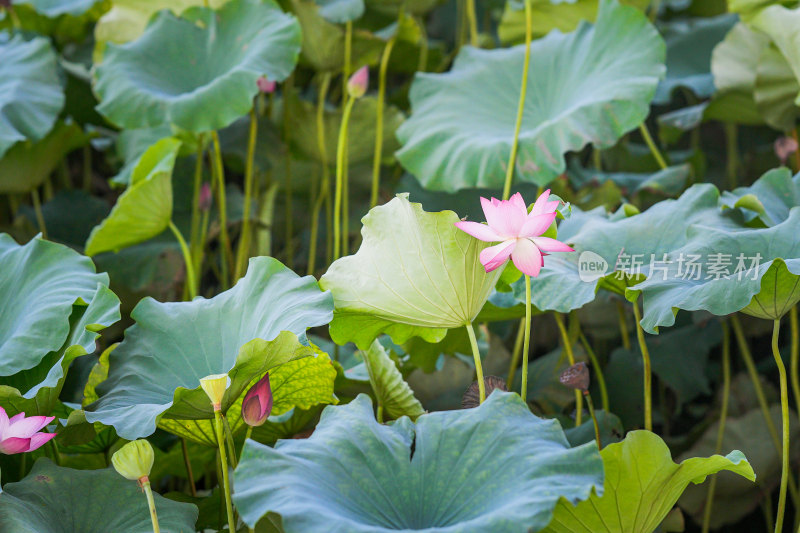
756,271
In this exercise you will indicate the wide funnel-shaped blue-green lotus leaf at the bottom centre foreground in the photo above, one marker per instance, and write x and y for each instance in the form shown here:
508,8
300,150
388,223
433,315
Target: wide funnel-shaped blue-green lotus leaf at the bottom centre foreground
494,468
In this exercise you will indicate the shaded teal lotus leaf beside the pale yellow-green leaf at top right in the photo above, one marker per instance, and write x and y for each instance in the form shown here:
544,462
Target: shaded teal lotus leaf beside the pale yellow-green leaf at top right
689,48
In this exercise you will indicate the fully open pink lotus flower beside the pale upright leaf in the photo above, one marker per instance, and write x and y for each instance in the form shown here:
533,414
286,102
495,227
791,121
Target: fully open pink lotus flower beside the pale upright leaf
520,233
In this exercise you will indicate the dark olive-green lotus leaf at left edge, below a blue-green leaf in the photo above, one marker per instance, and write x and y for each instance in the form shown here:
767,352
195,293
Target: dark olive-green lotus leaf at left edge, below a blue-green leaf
26,165
